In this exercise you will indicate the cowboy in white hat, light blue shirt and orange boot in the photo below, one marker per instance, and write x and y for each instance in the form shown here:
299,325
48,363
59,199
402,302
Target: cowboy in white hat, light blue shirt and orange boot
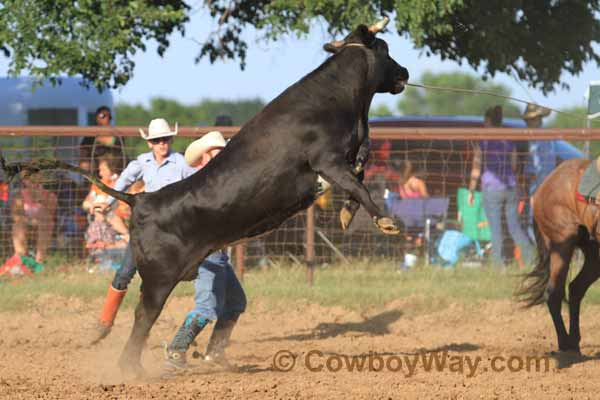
157,168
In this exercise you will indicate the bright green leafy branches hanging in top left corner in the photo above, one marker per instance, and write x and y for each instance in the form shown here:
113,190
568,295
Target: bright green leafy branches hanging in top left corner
92,38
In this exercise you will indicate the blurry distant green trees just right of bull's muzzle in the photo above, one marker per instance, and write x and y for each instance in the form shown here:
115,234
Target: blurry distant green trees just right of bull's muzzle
417,101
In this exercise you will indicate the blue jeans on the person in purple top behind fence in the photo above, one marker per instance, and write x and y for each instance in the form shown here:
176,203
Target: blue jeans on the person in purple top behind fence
494,201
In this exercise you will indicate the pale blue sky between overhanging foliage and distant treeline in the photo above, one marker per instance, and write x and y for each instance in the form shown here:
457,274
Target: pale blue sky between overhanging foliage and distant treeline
272,67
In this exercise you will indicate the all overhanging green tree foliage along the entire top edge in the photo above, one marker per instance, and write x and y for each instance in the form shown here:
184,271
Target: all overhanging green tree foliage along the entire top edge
536,40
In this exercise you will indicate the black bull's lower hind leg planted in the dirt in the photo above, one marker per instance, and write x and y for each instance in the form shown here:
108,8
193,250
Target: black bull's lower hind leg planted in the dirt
147,311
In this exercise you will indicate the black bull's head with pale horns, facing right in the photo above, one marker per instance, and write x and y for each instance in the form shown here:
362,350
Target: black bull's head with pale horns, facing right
391,76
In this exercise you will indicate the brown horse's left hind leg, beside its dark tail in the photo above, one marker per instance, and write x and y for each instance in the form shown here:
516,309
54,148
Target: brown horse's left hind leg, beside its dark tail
560,257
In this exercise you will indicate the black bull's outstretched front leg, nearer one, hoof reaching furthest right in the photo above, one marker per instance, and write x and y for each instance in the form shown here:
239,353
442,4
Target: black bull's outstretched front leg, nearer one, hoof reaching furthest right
335,169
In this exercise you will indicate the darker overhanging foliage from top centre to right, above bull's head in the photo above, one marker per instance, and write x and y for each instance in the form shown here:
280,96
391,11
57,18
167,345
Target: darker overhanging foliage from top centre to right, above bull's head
536,40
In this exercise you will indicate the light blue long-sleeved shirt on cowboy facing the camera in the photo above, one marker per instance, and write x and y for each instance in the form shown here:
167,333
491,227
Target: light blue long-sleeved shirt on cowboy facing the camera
173,169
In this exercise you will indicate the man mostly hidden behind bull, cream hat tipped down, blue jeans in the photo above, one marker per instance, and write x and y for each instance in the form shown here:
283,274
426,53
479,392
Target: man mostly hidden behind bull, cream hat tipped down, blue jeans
219,295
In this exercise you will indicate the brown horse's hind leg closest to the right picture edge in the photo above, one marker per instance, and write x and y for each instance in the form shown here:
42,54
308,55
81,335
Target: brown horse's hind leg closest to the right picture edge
577,288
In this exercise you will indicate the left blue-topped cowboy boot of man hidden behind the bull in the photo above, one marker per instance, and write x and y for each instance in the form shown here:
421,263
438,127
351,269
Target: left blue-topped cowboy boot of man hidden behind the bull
175,352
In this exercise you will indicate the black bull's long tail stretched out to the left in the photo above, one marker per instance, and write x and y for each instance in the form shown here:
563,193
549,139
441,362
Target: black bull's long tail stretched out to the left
35,166
